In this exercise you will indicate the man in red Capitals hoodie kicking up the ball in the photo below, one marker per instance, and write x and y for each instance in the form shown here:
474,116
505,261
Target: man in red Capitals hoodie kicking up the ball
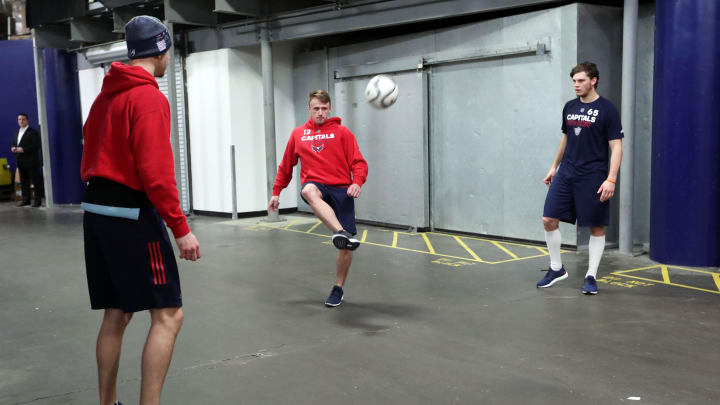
332,174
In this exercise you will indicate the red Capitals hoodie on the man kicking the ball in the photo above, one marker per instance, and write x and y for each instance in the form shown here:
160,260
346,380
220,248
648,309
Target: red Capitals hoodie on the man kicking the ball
328,152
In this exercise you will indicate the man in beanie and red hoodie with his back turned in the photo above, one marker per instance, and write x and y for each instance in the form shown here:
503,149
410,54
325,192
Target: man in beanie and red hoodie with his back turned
131,195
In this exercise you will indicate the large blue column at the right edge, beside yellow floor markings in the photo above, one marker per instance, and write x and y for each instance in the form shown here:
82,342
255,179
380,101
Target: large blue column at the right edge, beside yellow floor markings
685,185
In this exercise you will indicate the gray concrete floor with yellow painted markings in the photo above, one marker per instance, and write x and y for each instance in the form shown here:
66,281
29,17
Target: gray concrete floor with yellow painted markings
415,328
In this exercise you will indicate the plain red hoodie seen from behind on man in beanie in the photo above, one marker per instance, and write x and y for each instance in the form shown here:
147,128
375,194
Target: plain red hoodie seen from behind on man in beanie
127,140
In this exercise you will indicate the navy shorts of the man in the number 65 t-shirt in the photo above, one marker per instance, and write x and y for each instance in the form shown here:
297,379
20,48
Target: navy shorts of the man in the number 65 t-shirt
573,197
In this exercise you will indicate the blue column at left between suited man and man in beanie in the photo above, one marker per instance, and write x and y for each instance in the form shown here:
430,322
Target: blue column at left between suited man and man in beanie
62,94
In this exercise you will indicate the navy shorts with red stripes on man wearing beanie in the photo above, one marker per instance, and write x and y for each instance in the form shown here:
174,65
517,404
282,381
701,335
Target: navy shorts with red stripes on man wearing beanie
130,263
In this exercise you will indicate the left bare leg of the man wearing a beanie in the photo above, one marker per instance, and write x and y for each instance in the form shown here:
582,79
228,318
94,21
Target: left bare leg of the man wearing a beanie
107,350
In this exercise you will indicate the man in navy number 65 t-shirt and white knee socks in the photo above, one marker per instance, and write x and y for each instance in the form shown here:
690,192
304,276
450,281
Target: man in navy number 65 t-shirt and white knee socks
581,189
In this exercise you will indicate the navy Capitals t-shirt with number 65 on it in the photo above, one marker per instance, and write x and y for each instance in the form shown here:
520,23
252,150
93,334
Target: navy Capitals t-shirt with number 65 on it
589,128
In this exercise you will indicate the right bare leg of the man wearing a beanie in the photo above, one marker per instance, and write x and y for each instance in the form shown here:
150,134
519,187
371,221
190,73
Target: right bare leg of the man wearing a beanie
166,323
